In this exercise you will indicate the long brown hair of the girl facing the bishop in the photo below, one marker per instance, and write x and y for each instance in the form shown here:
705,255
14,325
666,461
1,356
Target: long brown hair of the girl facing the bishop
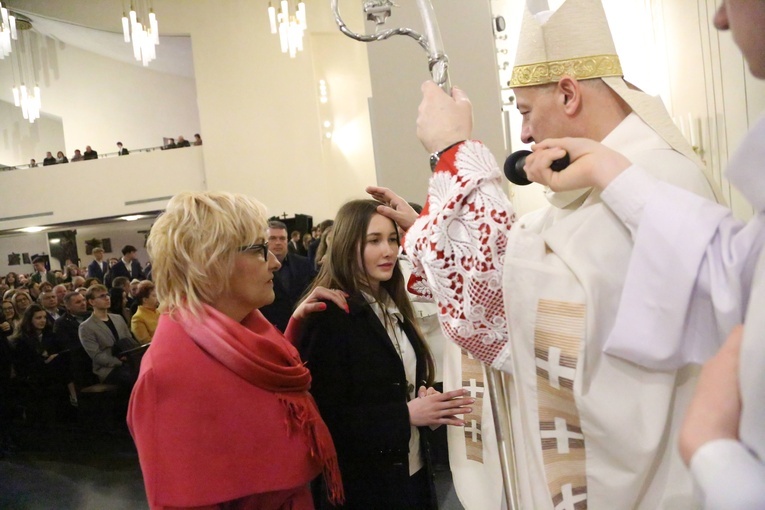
342,270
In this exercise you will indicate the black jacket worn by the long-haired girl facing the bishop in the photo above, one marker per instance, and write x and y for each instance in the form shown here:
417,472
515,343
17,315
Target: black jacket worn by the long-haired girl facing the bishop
359,384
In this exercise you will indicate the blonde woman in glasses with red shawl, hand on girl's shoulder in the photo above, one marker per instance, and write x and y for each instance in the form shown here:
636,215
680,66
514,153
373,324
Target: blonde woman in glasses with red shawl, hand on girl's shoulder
221,414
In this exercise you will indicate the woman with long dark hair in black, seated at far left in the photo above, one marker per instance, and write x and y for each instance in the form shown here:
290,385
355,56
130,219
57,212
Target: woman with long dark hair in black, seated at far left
34,354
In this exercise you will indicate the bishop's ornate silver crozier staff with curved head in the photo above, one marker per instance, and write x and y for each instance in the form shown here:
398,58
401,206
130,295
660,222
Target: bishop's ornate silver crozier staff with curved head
496,382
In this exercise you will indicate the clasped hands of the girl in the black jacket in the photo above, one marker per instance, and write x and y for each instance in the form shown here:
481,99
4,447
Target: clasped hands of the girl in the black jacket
433,409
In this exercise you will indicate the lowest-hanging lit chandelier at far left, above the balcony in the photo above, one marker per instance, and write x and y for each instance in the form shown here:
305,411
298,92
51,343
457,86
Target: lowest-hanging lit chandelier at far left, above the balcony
23,67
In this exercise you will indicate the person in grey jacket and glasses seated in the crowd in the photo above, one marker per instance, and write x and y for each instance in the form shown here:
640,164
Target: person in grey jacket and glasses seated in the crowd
99,335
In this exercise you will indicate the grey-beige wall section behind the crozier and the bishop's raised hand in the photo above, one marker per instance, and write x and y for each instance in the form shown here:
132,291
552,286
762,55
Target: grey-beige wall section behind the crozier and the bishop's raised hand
399,66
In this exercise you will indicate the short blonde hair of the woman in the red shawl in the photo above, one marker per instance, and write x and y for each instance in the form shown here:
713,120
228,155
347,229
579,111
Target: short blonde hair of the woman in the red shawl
192,245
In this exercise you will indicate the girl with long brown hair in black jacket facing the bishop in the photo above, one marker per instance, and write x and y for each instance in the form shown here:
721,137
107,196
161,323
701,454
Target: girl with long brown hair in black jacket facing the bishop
371,369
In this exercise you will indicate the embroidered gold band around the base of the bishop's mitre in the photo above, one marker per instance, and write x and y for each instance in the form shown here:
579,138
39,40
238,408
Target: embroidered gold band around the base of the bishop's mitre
582,68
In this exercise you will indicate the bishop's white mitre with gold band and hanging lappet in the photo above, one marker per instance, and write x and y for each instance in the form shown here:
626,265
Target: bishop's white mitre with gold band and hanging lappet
576,41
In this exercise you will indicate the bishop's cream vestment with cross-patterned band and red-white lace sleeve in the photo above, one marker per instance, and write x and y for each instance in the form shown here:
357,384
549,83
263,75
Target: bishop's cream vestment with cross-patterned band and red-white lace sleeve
538,300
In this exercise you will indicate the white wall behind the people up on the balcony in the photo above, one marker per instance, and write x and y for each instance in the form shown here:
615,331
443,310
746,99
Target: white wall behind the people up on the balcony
100,101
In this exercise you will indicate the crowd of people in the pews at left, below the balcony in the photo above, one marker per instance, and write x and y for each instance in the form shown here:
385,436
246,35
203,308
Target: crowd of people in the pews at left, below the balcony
64,330
